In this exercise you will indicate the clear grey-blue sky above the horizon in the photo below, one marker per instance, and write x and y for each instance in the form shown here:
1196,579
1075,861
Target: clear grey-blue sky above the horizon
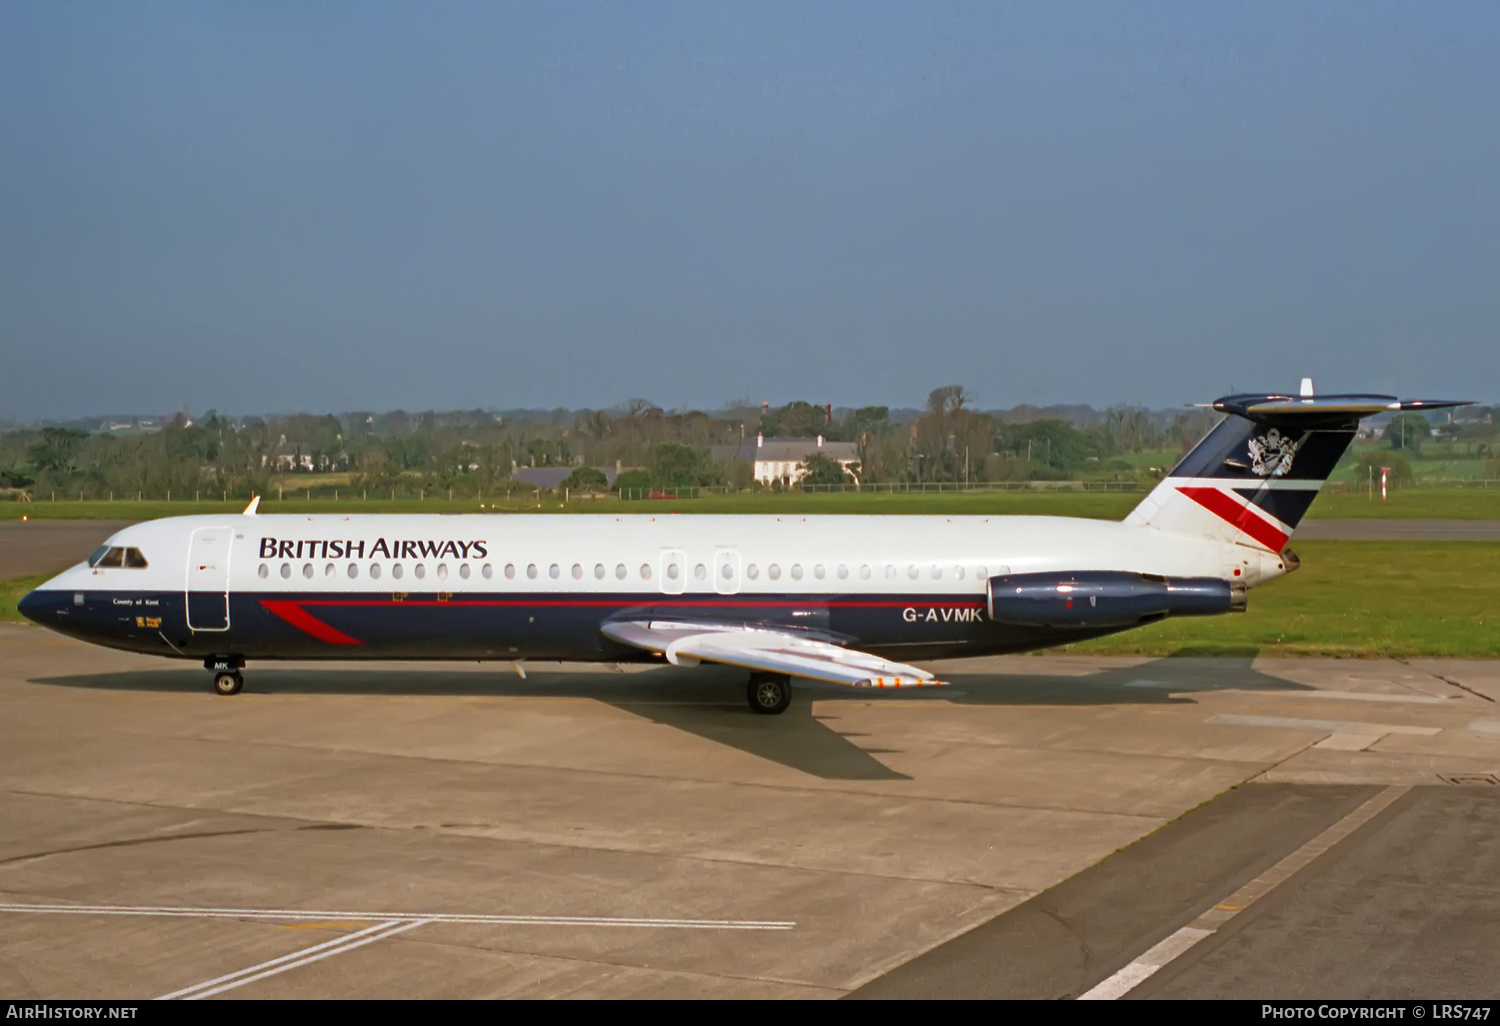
337,206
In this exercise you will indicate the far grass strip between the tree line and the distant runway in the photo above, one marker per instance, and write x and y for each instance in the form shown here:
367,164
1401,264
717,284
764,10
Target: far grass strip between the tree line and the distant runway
1456,503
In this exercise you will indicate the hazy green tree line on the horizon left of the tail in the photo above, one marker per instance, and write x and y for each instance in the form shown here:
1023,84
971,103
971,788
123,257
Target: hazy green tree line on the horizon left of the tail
476,452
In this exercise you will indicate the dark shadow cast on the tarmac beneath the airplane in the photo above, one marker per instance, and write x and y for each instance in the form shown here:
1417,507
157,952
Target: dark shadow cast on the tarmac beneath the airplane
709,701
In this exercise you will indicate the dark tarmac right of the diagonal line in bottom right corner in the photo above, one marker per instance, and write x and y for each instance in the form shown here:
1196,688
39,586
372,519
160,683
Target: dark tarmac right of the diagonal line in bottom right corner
1409,908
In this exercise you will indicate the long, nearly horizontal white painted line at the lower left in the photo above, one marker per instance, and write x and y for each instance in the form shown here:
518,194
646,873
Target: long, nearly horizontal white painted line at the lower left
397,917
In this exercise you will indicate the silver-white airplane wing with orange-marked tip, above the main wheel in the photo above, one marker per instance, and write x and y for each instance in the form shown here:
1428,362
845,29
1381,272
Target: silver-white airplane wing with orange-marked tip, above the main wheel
770,652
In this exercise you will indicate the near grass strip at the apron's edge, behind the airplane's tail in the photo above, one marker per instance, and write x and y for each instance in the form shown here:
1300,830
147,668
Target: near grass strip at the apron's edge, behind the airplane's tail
1358,599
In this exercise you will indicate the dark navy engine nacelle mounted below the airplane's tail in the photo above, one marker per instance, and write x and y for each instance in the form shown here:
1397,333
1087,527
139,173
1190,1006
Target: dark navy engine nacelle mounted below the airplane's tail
1108,599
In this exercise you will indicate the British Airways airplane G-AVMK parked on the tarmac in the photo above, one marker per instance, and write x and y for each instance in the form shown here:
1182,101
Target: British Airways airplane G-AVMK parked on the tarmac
844,599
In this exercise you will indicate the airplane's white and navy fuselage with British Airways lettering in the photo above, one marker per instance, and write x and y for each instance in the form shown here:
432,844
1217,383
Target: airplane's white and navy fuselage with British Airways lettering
544,587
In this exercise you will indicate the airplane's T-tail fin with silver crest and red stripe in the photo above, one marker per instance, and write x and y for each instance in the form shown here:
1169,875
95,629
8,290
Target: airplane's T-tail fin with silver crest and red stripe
1255,476
